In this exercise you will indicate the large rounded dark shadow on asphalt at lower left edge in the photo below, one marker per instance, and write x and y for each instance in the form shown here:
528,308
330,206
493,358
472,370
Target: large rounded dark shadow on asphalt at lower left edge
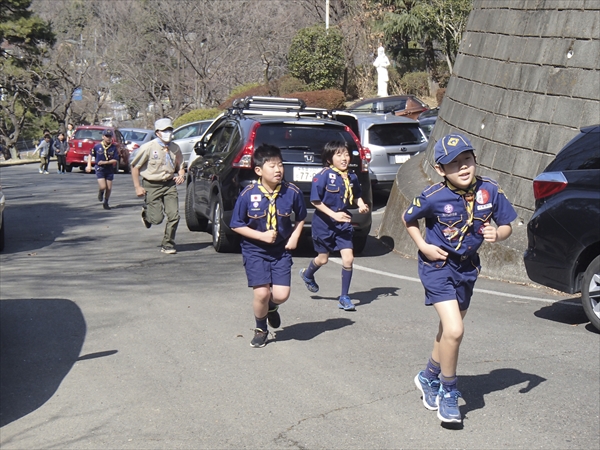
40,340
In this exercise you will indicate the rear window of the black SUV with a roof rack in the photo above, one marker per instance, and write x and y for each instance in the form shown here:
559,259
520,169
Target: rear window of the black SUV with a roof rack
302,137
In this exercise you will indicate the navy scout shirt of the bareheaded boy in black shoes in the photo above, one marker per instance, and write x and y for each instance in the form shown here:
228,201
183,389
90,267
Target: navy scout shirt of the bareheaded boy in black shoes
251,211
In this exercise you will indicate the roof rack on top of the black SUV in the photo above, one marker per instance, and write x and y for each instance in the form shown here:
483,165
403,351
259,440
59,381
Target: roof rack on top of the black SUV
275,106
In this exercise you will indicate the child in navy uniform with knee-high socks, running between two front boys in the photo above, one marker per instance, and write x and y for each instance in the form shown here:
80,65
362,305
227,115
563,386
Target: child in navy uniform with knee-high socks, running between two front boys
333,191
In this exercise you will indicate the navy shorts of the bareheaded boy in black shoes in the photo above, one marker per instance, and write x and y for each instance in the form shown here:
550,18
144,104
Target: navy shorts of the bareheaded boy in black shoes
267,269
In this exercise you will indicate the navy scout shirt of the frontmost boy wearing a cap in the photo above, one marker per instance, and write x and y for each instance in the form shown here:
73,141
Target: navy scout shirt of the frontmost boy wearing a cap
445,213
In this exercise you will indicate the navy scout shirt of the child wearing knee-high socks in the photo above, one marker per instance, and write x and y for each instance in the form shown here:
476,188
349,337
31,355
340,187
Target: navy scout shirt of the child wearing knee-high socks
328,188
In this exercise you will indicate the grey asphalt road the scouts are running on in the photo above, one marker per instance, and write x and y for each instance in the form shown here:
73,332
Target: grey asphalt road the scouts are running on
108,343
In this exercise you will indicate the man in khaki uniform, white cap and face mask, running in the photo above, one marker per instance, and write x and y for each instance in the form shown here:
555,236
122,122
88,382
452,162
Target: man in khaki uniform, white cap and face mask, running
160,163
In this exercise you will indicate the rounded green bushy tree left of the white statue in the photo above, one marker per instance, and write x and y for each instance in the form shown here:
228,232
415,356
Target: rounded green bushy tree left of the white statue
317,57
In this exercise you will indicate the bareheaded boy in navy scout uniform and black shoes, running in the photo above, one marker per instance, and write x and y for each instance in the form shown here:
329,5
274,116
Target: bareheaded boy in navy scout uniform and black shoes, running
262,215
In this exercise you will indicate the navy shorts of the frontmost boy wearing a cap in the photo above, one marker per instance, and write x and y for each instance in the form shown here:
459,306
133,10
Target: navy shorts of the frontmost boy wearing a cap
452,279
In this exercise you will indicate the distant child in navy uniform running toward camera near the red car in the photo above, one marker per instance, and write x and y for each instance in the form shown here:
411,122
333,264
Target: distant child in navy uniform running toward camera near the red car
106,156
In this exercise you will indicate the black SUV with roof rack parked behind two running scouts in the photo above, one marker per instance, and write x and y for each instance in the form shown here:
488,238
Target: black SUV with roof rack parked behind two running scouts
224,165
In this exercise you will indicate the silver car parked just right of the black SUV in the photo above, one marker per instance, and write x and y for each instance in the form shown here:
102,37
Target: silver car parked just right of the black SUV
392,140
